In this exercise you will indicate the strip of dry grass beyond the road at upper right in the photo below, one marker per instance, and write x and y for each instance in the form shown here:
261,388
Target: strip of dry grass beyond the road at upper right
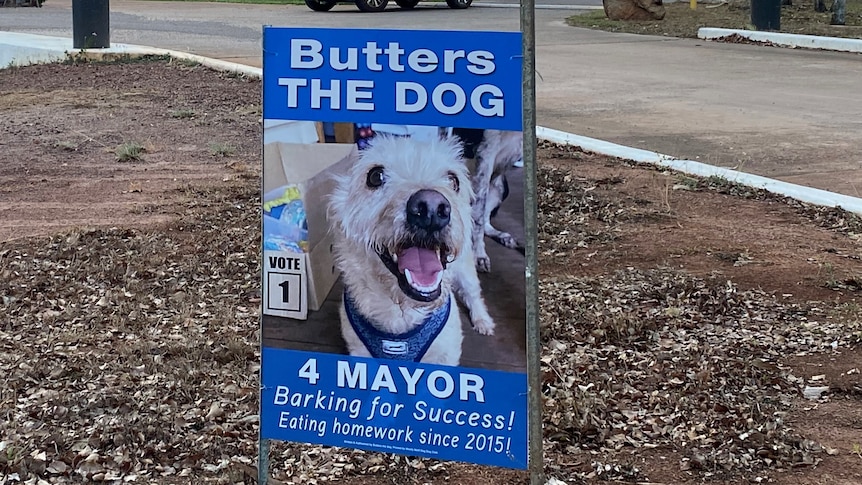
682,21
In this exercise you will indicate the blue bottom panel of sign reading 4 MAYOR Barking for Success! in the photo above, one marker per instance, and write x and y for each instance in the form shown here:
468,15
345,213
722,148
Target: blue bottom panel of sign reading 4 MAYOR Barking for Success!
450,413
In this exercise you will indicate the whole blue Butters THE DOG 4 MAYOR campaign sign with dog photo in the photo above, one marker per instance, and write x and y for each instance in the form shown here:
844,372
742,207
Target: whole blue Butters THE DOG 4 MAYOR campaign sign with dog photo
379,119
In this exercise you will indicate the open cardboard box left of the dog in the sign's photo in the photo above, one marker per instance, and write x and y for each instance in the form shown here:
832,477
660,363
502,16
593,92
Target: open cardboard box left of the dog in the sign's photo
299,266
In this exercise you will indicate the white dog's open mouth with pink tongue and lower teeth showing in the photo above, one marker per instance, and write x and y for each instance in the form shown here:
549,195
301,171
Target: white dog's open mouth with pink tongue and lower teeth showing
419,270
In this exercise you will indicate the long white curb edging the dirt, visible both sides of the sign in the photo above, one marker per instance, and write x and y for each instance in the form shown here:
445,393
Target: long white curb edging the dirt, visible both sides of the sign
22,49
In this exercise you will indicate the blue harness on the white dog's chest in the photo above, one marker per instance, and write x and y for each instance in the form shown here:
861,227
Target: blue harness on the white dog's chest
409,346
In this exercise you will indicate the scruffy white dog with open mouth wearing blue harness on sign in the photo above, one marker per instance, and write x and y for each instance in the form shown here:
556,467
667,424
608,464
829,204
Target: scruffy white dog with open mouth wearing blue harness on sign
403,226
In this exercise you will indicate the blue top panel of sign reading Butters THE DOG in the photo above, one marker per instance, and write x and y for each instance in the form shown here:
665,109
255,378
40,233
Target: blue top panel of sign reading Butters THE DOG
434,78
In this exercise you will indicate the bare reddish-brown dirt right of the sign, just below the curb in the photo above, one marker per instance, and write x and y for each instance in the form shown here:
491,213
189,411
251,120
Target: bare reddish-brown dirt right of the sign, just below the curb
755,242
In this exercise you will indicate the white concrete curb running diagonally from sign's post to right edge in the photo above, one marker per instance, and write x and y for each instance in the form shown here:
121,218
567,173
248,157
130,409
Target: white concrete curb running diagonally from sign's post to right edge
798,192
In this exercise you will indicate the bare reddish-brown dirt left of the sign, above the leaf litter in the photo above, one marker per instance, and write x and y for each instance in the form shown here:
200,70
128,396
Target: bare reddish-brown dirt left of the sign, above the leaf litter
63,125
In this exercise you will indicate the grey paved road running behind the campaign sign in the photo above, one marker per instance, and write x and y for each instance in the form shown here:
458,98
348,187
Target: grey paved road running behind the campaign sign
783,113
